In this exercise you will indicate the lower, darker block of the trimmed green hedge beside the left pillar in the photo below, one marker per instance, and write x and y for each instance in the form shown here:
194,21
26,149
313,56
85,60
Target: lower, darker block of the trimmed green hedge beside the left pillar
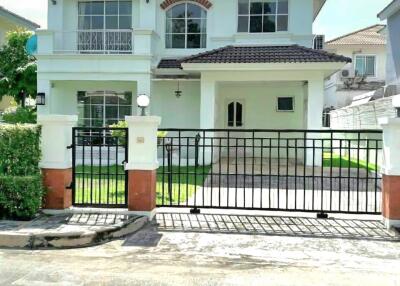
20,197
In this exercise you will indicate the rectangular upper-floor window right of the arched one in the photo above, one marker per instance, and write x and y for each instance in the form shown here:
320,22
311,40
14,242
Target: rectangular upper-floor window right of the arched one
263,16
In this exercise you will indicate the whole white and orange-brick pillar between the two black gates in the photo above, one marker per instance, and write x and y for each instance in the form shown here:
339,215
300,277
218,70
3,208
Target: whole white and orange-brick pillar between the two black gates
142,164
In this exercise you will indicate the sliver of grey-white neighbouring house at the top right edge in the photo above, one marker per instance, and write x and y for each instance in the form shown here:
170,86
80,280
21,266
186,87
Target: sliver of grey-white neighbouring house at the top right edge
392,14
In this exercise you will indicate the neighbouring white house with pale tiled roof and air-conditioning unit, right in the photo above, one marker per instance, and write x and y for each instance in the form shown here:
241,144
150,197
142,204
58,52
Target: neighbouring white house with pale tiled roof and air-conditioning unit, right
367,72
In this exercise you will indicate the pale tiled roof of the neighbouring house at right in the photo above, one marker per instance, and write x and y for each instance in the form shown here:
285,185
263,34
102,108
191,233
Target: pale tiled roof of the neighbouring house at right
367,36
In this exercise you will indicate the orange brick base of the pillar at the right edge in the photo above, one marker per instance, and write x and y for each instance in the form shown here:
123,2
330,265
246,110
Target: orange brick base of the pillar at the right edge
391,200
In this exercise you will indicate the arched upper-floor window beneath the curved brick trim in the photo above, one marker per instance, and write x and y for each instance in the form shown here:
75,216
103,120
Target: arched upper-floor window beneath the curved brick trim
186,27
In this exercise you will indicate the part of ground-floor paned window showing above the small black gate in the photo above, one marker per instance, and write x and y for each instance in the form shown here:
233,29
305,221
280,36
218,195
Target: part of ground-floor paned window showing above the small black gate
103,108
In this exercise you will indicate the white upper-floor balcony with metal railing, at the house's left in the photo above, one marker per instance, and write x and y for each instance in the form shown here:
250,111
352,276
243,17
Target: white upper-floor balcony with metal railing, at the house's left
87,54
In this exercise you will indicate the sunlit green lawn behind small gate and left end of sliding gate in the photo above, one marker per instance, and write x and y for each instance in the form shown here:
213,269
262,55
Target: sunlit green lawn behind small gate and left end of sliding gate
184,182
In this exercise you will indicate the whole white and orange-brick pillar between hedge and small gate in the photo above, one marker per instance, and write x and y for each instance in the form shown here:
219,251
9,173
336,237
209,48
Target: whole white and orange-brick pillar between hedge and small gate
56,163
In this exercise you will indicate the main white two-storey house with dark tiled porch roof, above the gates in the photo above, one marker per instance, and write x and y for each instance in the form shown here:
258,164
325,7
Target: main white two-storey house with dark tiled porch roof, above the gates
204,63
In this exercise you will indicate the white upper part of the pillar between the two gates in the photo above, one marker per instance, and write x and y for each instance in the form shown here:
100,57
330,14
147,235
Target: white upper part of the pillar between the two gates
142,145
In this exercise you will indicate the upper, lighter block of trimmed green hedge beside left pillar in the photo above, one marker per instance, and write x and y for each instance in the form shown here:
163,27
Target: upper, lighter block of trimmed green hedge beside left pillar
19,150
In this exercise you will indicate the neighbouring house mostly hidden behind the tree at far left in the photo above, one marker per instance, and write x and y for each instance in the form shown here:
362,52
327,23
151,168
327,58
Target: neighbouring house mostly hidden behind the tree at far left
9,22
